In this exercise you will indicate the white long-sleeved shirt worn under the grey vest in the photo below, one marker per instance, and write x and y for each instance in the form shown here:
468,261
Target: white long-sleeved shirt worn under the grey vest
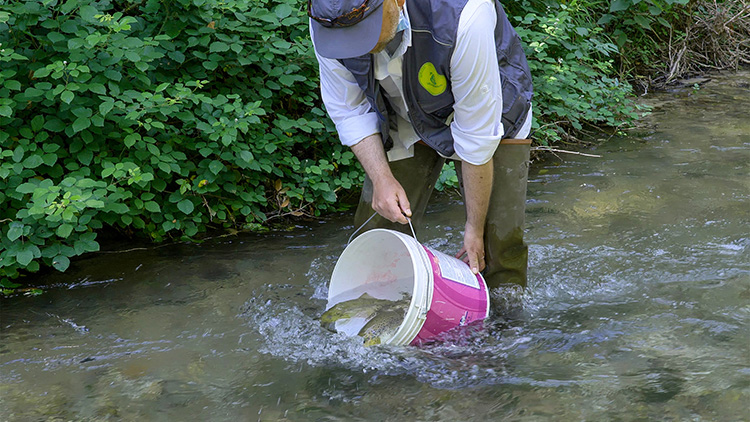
475,83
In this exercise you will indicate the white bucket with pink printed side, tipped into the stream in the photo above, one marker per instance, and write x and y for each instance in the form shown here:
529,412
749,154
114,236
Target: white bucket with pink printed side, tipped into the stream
387,264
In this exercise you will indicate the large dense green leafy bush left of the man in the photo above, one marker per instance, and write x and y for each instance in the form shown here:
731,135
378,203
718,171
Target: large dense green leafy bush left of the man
156,118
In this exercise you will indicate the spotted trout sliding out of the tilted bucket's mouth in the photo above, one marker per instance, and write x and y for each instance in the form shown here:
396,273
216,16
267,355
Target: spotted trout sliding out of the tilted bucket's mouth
378,318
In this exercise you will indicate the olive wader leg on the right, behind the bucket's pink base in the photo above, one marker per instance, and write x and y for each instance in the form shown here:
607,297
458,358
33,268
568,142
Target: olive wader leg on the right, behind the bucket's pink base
506,254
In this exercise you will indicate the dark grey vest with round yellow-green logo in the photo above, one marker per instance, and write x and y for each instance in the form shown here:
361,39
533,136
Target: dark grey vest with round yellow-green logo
427,74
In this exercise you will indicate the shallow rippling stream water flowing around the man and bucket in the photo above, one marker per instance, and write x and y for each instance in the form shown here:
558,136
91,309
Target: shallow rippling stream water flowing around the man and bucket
638,306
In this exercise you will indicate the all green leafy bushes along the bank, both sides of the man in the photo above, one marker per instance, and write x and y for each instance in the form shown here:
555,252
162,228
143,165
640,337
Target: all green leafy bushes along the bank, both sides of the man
165,119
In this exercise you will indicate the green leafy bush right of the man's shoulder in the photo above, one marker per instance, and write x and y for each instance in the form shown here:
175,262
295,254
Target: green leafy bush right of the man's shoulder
572,63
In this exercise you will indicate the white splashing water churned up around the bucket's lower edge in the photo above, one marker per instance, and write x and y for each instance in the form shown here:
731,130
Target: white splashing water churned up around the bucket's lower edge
295,335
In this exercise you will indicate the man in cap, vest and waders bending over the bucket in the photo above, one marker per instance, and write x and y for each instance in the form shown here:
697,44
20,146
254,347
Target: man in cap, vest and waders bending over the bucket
411,83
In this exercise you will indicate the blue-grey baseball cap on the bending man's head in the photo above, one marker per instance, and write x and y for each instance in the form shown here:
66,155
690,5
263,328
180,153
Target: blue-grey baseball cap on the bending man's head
343,29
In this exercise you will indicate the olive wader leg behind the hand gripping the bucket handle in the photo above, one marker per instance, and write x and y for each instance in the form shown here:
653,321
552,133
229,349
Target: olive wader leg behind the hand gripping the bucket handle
417,176
